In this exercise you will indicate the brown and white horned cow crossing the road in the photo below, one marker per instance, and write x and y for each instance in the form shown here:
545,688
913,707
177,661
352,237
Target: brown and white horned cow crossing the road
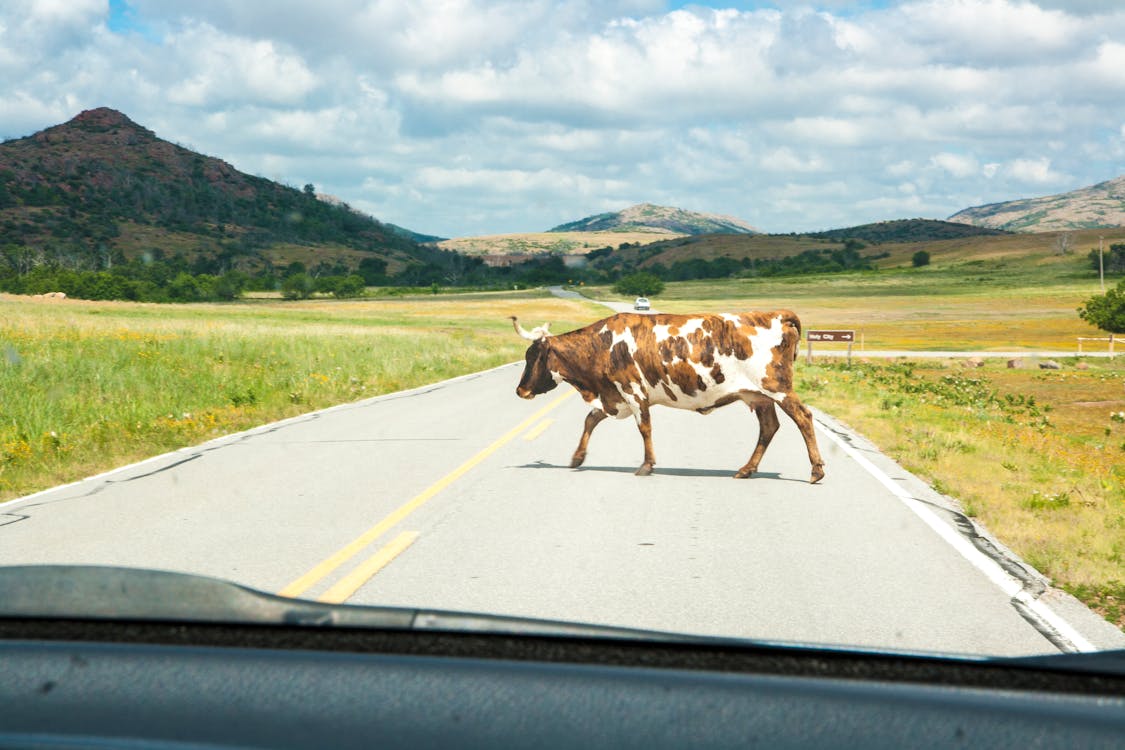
627,364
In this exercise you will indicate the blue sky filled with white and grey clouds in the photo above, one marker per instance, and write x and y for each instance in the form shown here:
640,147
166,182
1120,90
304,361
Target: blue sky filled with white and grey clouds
469,118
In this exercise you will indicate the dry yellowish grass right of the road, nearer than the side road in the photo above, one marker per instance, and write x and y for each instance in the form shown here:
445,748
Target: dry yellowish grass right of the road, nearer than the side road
1054,491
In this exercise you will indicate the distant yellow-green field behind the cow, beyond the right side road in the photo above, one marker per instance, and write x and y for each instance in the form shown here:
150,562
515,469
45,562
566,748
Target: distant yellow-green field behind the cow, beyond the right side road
998,304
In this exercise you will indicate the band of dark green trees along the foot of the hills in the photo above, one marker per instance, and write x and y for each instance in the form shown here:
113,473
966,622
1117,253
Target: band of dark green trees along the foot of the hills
109,275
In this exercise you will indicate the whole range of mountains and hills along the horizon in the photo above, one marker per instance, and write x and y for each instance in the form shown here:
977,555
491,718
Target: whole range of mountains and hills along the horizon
101,187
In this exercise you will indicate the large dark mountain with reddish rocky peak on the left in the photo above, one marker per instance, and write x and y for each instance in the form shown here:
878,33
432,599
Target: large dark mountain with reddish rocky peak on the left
102,187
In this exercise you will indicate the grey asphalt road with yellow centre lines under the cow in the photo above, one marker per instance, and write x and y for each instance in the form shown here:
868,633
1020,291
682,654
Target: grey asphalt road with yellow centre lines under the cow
460,496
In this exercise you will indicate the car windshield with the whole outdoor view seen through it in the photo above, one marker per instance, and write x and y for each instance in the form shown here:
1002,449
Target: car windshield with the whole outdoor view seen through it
375,303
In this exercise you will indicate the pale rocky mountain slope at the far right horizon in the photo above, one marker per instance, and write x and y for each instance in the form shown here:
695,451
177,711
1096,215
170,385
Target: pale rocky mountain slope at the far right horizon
1102,205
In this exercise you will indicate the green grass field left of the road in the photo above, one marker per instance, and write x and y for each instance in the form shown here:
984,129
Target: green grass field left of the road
89,386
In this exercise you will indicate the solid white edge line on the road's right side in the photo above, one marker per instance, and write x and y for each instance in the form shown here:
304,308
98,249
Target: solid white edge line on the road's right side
1009,584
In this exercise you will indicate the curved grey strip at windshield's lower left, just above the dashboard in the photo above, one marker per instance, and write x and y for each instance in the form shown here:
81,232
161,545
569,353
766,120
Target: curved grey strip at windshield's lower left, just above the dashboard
132,594
